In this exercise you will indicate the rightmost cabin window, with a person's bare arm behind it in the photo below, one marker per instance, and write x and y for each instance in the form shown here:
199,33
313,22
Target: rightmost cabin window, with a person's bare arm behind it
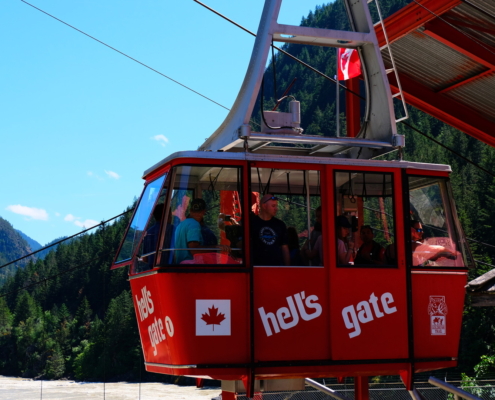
434,234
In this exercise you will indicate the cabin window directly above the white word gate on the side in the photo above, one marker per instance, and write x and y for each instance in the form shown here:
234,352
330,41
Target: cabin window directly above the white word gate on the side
365,219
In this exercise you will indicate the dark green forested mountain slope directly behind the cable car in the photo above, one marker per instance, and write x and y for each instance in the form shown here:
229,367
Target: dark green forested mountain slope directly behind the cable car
81,323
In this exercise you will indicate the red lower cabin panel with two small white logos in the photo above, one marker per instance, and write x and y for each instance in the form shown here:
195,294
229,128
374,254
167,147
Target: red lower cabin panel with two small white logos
438,301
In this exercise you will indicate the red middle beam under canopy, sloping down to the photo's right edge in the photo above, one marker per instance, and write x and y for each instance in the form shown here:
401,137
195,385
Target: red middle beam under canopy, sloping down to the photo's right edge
448,35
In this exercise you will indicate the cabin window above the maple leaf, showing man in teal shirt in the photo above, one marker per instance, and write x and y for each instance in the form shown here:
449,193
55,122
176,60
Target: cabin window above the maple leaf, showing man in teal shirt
204,221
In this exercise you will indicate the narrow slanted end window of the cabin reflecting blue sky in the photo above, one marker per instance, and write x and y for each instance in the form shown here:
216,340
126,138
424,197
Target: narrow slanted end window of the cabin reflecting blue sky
136,228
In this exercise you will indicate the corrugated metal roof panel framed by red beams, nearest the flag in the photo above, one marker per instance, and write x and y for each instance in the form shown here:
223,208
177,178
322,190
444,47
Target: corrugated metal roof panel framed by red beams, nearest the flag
430,62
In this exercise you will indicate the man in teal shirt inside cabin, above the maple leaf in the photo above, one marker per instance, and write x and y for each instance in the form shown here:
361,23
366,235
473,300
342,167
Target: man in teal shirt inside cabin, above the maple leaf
188,234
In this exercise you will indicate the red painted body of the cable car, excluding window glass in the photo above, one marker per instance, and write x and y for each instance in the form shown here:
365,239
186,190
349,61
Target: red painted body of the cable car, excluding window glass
308,321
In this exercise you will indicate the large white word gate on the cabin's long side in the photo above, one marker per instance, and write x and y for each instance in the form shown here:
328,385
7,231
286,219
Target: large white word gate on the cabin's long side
364,313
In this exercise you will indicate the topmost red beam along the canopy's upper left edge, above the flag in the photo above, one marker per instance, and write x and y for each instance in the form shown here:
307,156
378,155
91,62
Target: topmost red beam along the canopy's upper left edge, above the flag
412,17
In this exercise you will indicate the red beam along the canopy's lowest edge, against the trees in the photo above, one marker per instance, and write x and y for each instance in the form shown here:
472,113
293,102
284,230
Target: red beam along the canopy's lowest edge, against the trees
447,110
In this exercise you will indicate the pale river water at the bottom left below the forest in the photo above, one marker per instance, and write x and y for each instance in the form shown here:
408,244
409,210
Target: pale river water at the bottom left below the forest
28,389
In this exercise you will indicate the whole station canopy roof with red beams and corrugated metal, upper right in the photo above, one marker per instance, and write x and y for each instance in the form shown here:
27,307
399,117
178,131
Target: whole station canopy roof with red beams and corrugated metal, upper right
444,51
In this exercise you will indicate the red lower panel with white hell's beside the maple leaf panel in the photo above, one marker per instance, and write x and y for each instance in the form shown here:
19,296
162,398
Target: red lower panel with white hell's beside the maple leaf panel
291,313
